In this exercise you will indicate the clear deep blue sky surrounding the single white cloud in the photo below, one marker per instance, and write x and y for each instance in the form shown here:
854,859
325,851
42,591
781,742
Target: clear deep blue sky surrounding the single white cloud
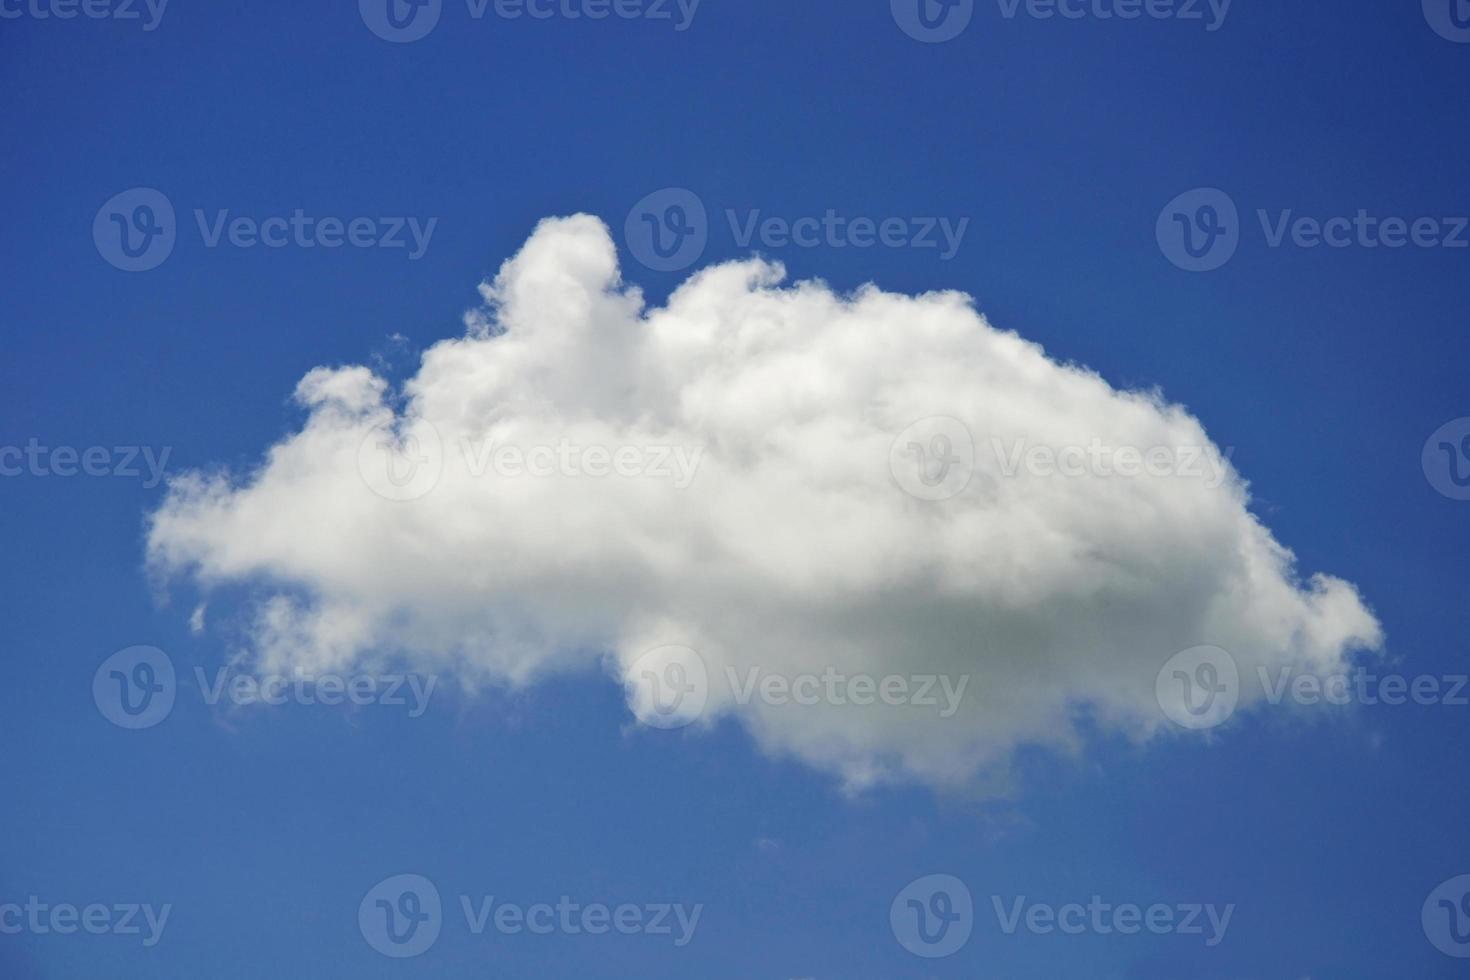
1061,143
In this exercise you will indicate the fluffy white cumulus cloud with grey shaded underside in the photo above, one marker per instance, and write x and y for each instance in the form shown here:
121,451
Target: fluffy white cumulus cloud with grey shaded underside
581,480
